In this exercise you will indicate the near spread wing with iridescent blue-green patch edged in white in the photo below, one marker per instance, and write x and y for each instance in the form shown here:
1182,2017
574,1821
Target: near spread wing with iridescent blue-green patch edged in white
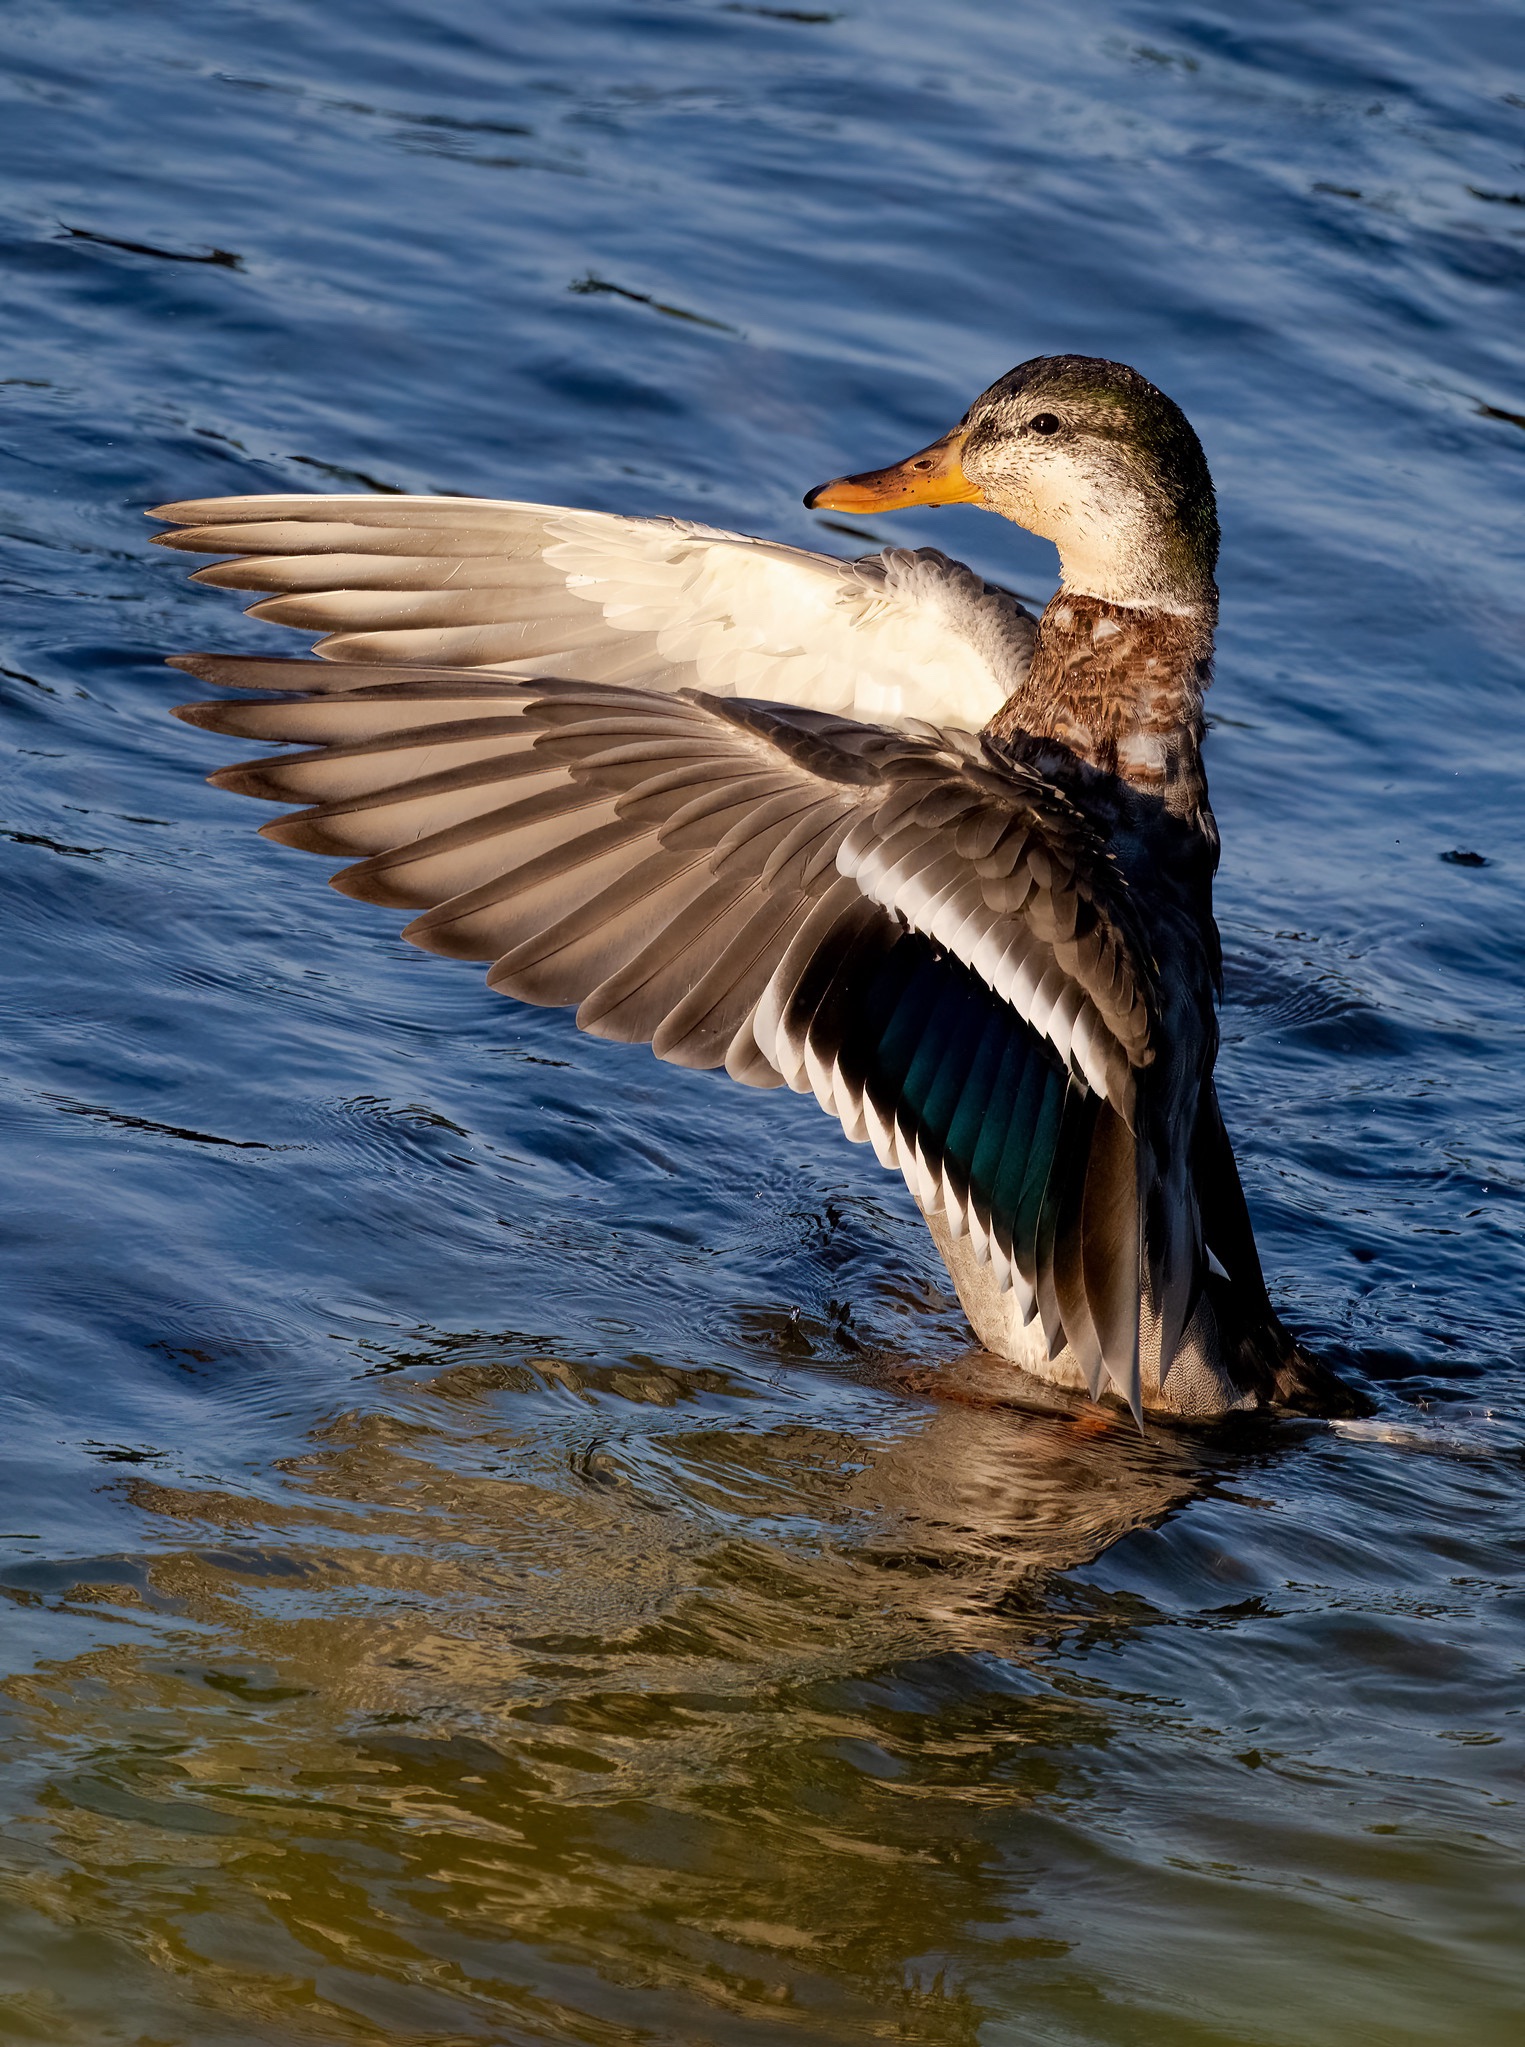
926,937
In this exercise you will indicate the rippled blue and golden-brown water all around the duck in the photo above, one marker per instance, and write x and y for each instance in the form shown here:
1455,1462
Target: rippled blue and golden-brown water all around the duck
498,1538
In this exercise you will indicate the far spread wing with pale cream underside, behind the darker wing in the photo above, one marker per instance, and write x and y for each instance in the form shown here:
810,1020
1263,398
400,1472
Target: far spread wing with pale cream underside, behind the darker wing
656,603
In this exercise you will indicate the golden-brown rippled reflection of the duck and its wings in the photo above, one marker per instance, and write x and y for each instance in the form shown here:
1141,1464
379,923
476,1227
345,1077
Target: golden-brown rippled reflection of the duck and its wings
681,1540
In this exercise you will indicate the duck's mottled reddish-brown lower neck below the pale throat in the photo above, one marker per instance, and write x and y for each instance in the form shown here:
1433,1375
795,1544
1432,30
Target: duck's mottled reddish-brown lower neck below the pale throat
1121,687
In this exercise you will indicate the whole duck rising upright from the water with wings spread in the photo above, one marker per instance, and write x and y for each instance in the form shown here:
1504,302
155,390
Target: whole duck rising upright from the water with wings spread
859,828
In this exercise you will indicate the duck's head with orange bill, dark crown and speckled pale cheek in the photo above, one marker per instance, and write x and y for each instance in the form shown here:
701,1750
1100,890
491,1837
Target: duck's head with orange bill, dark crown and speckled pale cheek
1086,453
